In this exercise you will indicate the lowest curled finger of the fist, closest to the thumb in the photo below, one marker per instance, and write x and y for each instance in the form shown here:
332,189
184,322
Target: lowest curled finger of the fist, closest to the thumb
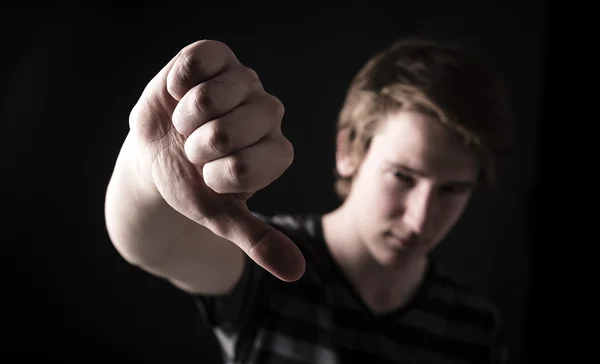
251,168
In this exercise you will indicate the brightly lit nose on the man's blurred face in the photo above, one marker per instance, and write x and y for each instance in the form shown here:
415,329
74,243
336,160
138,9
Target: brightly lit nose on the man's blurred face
418,207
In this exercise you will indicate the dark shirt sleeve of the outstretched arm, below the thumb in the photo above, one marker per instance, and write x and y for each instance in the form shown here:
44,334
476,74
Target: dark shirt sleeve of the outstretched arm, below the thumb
230,311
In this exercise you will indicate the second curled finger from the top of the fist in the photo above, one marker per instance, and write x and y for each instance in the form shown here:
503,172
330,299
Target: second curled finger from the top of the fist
213,98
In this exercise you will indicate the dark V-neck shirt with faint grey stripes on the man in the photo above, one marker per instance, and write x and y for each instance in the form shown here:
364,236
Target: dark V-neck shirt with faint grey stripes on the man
320,319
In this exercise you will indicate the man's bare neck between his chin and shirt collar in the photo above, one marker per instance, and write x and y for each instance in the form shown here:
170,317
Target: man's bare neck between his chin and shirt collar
381,287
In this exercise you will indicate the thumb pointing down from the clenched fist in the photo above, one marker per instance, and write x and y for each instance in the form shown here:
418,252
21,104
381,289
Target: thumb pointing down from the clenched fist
267,246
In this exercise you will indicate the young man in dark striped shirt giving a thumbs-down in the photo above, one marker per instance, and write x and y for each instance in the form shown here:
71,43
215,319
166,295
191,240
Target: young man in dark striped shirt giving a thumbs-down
423,124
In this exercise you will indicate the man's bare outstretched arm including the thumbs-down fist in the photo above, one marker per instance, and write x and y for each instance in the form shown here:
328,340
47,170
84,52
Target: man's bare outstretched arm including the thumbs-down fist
204,136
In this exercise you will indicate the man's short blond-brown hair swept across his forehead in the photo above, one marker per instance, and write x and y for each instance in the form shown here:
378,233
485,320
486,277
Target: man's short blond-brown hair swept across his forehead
444,80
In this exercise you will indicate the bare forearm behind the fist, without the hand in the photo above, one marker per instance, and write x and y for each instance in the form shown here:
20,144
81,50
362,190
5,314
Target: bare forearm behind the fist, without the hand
150,234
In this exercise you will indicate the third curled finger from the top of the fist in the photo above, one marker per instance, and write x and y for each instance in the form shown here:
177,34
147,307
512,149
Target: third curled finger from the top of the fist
240,128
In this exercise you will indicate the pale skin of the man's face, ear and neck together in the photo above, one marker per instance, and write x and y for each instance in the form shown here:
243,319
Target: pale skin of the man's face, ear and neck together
407,193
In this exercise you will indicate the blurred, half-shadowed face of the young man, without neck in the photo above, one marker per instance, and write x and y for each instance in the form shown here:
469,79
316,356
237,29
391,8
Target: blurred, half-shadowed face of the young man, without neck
410,189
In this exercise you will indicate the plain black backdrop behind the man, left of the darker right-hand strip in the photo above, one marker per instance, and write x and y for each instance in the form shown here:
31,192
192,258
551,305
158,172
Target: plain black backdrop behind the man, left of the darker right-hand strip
70,78
